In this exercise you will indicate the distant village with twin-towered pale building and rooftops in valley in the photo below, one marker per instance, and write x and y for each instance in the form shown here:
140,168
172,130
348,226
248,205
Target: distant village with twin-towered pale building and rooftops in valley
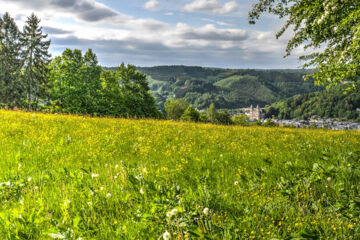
258,114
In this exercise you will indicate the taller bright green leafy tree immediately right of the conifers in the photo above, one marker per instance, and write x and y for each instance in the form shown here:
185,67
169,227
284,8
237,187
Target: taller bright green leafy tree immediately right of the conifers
75,84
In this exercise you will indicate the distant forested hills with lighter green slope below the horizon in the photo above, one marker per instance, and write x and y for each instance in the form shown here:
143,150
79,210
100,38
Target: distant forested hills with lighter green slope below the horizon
226,88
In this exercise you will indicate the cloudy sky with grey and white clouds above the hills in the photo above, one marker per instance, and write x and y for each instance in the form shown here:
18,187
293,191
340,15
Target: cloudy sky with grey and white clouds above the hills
213,33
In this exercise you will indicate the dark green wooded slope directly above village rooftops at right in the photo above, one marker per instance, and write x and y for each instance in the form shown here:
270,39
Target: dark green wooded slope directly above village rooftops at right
338,102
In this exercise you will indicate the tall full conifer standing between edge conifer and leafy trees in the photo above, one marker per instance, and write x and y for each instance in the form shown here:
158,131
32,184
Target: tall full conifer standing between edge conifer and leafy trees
36,59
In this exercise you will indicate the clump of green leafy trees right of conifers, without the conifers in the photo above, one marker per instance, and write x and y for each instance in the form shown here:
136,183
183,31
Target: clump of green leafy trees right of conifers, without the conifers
79,85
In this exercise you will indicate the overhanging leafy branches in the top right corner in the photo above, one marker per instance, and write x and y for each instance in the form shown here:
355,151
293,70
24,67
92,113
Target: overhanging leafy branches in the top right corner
330,29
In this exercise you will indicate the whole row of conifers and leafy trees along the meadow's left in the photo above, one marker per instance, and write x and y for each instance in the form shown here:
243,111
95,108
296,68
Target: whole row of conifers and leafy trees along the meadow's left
71,83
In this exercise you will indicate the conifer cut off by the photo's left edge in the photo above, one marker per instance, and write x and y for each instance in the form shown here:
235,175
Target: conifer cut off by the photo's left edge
10,63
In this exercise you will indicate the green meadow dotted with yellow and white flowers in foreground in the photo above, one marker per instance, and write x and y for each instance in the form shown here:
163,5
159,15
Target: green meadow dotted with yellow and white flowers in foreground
71,177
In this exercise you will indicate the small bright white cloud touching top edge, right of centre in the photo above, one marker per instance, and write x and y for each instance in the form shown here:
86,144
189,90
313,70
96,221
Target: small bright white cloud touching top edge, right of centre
212,6
